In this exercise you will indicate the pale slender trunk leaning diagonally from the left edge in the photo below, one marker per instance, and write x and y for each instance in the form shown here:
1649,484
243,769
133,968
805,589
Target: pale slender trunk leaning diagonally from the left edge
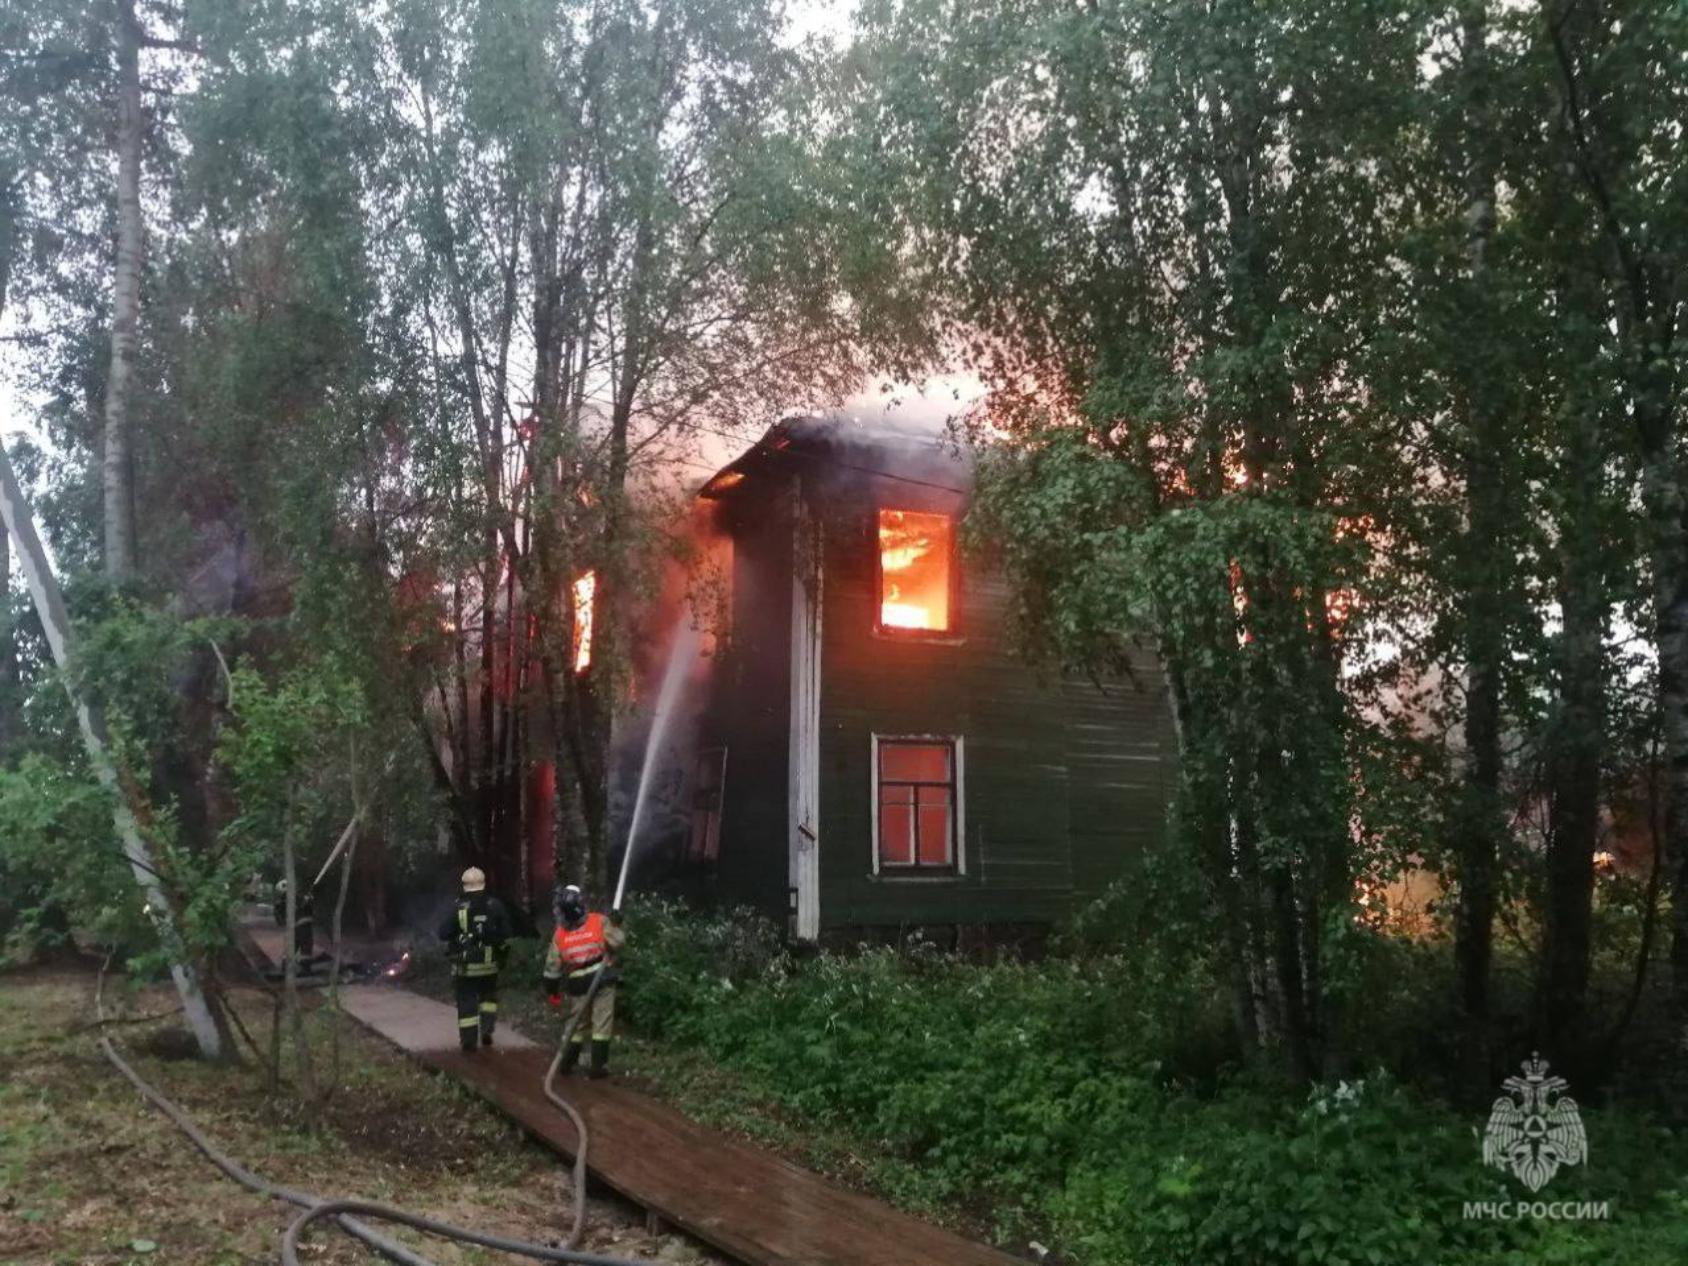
57,624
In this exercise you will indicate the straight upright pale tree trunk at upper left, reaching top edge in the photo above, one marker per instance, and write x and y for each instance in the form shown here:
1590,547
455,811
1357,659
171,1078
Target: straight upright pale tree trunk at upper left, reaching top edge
117,465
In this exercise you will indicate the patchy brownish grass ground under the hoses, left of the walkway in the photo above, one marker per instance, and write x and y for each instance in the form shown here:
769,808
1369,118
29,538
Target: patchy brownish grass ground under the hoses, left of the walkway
92,1176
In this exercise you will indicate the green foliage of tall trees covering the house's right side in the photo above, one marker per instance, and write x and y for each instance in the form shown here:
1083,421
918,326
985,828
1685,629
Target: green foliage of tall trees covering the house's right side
1317,344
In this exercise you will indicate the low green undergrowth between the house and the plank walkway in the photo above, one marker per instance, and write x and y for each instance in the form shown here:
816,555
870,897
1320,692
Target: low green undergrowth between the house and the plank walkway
1047,1093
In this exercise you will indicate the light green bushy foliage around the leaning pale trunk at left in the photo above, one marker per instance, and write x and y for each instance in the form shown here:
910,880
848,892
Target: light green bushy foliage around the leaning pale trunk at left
286,766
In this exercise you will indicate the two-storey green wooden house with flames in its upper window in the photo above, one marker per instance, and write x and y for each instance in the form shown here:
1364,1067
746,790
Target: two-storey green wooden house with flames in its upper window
872,754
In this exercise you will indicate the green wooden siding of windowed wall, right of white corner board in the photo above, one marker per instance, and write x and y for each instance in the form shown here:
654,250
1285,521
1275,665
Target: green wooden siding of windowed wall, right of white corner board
1064,782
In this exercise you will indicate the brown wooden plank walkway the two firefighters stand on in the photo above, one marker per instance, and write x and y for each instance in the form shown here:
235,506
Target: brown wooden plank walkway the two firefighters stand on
740,1199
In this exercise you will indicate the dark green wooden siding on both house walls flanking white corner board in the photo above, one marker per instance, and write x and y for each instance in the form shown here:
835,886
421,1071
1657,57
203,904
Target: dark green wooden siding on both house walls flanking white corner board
1064,784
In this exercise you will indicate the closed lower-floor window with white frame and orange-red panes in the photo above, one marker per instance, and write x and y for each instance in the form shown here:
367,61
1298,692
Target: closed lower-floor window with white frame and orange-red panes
917,813
